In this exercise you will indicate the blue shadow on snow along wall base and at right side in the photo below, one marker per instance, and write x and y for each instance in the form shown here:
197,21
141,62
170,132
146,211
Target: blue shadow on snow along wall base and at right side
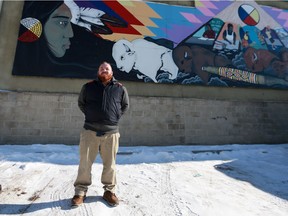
263,166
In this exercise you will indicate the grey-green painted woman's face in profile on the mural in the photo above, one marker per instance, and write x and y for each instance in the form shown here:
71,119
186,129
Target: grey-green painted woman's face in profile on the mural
58,31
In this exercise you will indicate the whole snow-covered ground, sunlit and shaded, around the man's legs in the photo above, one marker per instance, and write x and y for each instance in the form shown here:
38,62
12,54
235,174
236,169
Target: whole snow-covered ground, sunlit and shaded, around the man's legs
221,180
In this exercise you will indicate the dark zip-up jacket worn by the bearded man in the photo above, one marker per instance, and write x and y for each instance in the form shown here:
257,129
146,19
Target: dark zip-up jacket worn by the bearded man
102,105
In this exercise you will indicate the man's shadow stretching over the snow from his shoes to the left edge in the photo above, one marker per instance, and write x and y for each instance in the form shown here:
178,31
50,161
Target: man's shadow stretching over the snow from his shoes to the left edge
63,204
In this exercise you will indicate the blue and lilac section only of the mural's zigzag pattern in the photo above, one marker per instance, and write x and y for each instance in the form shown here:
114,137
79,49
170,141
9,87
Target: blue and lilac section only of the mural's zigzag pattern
186,20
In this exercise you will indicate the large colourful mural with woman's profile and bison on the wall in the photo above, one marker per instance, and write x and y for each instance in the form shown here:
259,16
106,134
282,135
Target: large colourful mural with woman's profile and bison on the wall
217,43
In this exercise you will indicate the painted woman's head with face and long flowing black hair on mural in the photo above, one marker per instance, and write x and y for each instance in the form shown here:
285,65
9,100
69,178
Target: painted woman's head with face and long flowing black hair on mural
61,49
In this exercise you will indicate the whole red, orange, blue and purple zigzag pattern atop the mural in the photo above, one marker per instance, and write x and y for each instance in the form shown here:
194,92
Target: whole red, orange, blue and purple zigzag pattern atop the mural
149,19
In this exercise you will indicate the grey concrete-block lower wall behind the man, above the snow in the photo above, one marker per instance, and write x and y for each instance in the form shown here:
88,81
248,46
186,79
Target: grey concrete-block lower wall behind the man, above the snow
27,118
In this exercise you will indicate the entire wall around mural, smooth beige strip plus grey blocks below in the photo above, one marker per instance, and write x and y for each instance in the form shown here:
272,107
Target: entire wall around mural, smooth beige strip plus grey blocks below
44,110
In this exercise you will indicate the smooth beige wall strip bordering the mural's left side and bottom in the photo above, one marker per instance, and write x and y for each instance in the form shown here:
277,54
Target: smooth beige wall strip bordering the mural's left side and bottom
9,26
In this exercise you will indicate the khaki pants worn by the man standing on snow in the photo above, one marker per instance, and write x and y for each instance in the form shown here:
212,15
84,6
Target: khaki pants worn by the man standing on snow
90,144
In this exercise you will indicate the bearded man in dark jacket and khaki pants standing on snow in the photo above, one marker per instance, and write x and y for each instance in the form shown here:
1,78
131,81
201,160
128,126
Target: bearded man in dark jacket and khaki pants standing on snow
103,101
